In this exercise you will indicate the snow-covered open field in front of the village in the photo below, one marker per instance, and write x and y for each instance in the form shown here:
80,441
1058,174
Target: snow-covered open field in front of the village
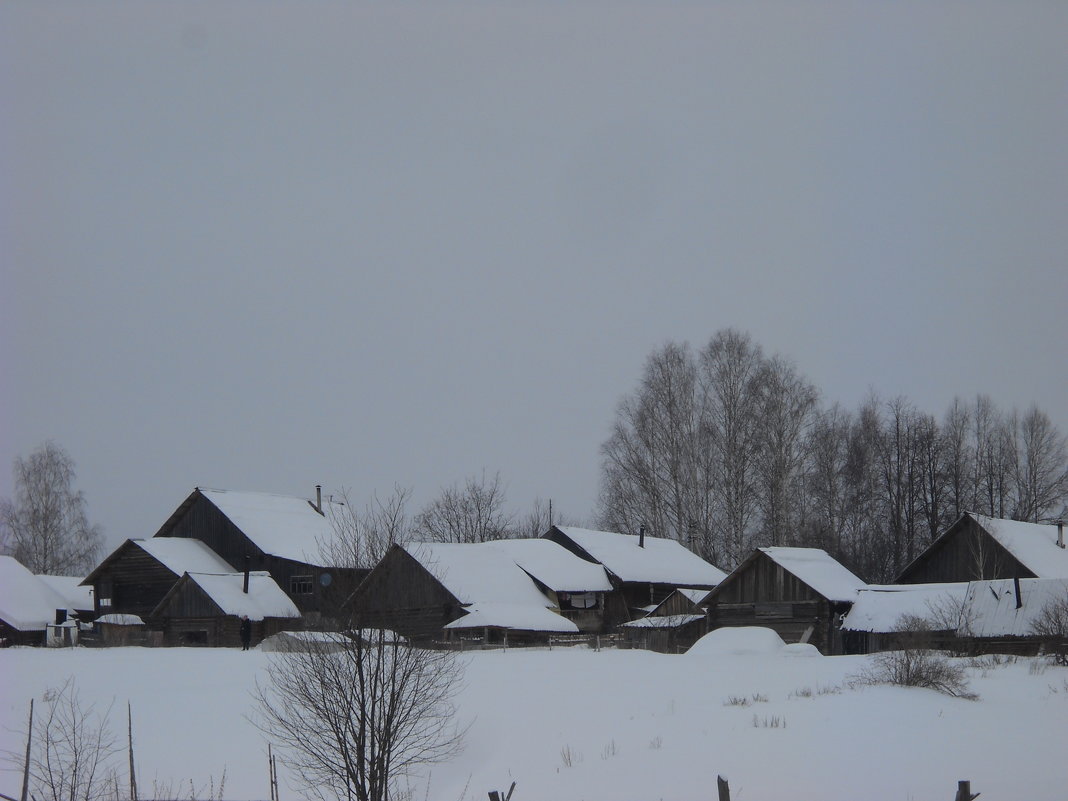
612,726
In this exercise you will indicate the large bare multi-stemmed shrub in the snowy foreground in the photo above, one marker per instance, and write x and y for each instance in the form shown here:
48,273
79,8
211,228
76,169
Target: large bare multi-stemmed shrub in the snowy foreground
354,716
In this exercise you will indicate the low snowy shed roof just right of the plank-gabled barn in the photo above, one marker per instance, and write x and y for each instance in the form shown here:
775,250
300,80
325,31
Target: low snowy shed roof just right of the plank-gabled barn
881,607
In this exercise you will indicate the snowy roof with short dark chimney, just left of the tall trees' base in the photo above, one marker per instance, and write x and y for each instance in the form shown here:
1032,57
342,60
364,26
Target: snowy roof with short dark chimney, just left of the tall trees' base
661,562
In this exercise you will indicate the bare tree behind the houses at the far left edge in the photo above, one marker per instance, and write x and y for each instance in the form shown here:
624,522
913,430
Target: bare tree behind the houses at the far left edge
45,527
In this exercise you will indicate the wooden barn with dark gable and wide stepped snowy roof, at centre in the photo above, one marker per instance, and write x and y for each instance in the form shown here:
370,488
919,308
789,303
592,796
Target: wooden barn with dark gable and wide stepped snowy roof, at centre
432,592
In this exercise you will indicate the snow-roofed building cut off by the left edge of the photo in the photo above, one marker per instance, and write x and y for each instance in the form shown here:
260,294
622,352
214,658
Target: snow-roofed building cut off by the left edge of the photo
28,606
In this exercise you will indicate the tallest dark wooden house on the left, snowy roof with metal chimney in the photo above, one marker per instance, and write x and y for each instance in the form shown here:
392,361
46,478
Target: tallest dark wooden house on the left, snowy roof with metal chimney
289,538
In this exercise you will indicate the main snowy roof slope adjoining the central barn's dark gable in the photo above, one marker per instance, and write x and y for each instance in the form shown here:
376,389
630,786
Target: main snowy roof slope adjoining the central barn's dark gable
475,574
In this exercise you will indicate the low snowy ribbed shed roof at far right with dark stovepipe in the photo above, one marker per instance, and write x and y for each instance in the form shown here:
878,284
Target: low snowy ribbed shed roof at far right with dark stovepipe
991,606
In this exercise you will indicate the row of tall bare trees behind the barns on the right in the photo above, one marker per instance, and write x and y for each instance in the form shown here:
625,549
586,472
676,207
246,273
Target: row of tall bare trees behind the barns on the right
727,449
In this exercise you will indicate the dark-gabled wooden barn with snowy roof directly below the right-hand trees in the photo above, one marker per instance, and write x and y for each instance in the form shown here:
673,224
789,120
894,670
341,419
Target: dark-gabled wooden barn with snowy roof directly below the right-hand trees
978,547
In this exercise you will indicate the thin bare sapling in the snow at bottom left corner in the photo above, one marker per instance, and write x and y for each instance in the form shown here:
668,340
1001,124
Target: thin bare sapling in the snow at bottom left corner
74,746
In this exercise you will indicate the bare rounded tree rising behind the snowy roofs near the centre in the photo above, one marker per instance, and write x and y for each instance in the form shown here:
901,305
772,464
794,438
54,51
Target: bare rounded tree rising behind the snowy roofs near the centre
474,513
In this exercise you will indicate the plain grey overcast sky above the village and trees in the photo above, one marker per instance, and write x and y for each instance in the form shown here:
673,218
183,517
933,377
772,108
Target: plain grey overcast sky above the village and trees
262,246
